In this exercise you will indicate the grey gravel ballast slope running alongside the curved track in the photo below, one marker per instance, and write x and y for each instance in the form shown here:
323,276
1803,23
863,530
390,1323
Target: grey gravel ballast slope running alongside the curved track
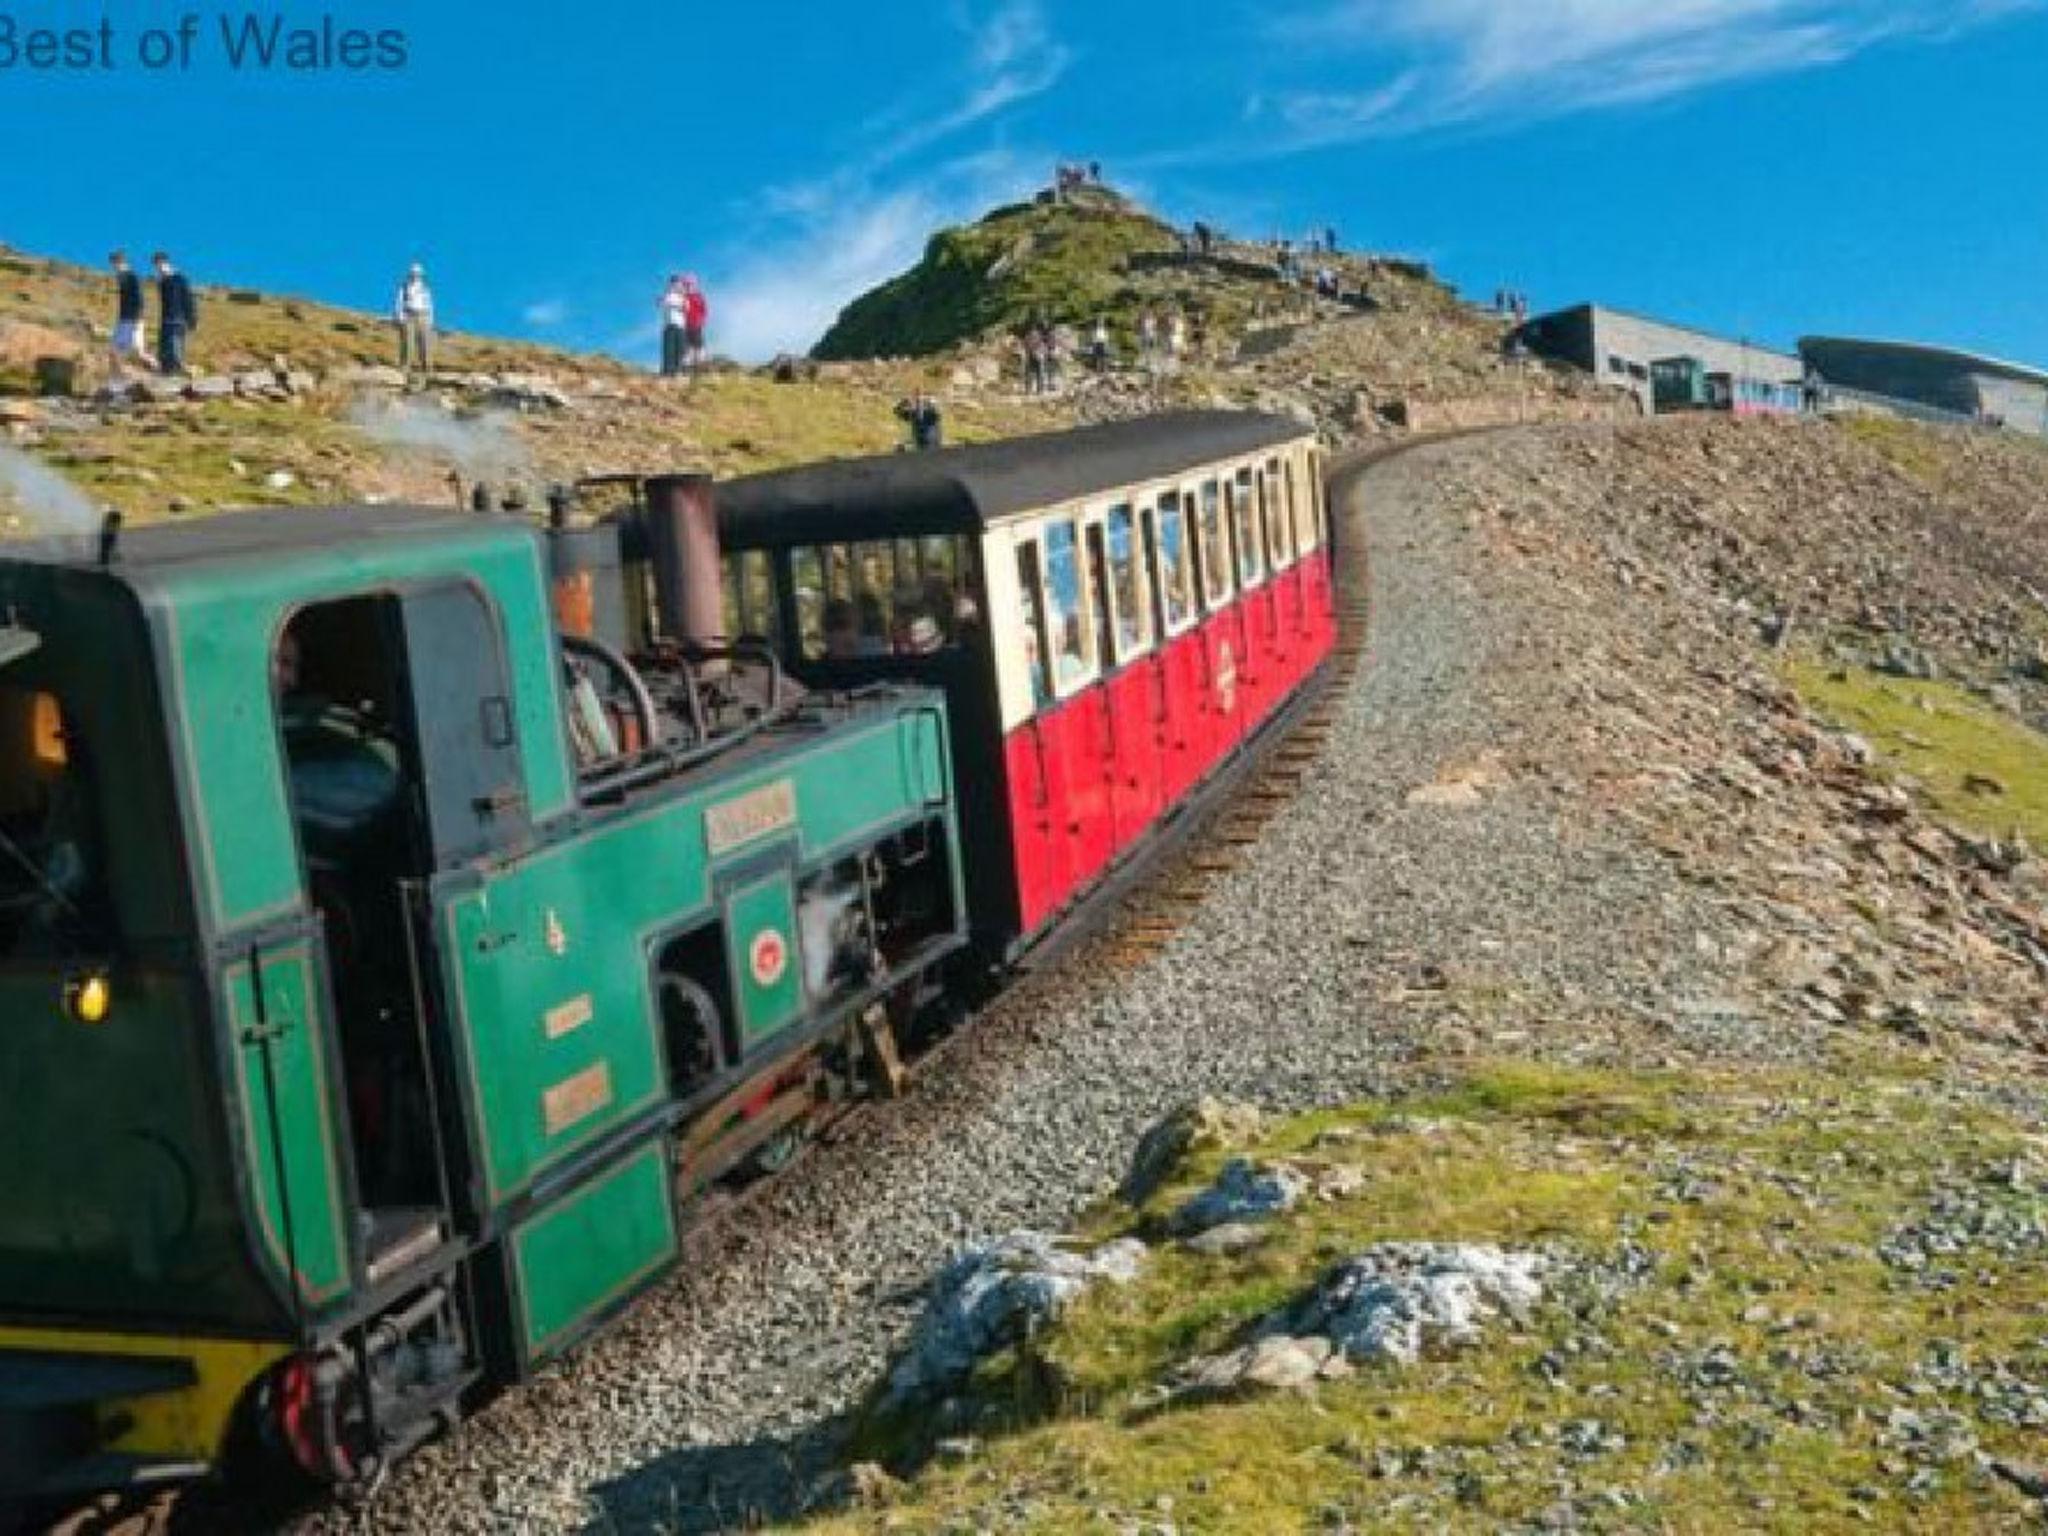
1363,935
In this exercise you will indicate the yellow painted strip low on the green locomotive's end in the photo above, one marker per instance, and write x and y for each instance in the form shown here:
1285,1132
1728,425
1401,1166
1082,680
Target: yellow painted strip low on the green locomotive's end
187,1424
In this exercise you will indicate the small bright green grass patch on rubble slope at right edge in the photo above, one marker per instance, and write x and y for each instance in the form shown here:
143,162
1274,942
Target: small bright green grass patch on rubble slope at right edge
1979,767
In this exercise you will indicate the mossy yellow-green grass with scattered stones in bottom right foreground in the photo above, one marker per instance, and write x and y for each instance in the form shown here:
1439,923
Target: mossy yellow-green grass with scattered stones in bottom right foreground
1734,1345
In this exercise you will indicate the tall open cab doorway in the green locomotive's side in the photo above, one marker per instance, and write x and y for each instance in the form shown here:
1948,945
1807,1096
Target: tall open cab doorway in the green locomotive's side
400,761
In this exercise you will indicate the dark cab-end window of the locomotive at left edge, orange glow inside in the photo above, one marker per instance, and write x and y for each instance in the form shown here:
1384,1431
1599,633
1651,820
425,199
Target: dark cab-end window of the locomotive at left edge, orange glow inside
52,894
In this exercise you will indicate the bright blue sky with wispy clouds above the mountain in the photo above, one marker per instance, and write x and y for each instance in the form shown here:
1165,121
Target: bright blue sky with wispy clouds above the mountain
1762,167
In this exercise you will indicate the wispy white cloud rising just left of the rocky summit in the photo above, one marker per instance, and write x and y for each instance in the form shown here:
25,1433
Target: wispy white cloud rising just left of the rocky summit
839,234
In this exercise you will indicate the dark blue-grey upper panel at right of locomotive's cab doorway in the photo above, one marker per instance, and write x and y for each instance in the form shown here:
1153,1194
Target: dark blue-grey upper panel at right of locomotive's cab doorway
462,710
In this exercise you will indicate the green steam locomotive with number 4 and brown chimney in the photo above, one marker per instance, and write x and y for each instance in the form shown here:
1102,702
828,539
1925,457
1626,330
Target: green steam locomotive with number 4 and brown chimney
384,964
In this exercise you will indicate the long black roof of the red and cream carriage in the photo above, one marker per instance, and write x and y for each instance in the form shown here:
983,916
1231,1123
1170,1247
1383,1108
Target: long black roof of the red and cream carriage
964,490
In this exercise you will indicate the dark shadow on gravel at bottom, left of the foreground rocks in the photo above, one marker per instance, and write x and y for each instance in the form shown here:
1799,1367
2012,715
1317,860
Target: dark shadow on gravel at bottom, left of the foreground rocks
703,1490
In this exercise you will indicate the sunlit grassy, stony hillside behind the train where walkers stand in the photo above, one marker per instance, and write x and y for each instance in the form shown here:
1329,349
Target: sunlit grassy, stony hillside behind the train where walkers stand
321,443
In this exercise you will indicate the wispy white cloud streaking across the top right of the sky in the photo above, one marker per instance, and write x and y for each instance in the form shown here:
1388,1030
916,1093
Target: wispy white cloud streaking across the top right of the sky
1437,65
